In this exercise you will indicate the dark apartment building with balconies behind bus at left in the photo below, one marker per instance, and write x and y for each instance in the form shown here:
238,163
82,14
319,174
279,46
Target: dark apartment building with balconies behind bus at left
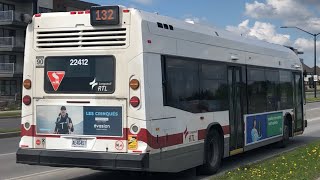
12,38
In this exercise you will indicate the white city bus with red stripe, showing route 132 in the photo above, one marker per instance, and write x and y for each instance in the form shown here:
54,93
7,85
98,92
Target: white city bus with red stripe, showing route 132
116,88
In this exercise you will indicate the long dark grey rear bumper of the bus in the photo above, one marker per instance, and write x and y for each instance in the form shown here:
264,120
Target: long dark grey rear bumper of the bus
94,160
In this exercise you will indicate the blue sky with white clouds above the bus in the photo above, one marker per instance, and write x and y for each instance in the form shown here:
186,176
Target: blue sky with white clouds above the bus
260,19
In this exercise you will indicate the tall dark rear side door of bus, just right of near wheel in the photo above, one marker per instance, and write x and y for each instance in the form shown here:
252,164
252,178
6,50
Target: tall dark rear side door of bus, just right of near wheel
235,110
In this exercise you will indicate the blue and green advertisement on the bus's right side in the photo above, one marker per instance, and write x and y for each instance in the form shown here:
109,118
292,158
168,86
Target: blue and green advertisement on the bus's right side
263,126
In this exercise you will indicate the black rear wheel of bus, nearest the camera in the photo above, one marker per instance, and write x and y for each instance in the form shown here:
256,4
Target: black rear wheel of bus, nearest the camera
213,153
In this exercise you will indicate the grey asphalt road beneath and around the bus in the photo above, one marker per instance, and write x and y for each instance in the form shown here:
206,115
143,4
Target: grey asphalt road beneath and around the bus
10,170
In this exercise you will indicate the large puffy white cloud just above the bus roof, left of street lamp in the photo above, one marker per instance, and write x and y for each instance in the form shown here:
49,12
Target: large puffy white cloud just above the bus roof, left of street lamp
261,31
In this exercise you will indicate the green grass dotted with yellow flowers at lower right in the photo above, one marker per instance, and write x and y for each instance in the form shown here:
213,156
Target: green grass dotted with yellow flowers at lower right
302,163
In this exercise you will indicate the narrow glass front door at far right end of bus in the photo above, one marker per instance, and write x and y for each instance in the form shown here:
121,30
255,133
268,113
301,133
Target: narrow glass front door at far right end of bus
298,102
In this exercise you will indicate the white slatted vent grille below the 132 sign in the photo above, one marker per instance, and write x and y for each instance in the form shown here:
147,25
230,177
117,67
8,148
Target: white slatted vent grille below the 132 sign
81,38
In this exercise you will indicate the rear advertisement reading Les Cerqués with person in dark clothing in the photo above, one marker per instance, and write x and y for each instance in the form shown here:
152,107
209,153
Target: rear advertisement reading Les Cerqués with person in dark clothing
79,120
